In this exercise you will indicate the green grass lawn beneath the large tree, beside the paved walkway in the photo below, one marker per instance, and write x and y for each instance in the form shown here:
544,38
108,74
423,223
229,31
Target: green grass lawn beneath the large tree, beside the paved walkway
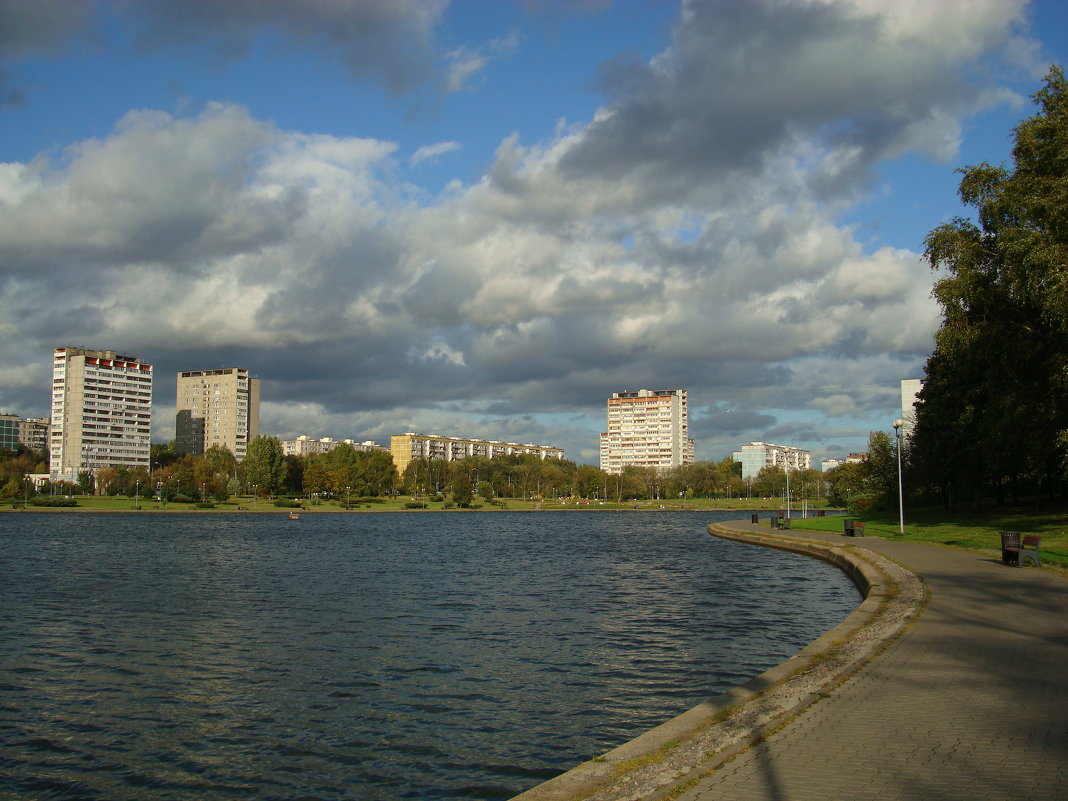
966,529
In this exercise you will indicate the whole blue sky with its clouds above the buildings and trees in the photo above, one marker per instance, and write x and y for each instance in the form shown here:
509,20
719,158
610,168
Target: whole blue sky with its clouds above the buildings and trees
481,218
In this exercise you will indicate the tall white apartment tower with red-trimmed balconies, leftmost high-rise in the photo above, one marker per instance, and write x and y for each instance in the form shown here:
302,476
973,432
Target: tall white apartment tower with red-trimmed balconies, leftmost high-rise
102,412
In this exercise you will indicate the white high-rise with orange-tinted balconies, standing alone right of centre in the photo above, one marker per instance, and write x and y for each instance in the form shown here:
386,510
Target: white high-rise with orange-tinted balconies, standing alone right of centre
649,429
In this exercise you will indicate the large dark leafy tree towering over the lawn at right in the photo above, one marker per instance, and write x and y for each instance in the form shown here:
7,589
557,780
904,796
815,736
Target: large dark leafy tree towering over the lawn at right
994,412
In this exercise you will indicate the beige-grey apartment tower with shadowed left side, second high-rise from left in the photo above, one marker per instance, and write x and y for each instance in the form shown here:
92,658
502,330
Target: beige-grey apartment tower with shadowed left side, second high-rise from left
216,407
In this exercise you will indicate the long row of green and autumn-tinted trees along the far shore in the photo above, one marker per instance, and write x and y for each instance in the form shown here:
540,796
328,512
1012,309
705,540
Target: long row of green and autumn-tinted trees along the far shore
348,474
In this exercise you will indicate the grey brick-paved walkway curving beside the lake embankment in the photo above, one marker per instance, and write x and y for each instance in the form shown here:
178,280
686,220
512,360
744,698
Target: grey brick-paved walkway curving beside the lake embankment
970,703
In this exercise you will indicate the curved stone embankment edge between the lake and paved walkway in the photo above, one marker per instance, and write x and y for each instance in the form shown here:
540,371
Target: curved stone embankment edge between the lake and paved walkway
700,741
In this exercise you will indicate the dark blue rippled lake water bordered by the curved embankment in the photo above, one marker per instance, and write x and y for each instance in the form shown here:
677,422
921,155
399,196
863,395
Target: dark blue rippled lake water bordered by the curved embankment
371,656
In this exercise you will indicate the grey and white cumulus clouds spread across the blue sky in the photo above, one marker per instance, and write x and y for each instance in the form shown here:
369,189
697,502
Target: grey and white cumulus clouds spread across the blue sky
685,237
